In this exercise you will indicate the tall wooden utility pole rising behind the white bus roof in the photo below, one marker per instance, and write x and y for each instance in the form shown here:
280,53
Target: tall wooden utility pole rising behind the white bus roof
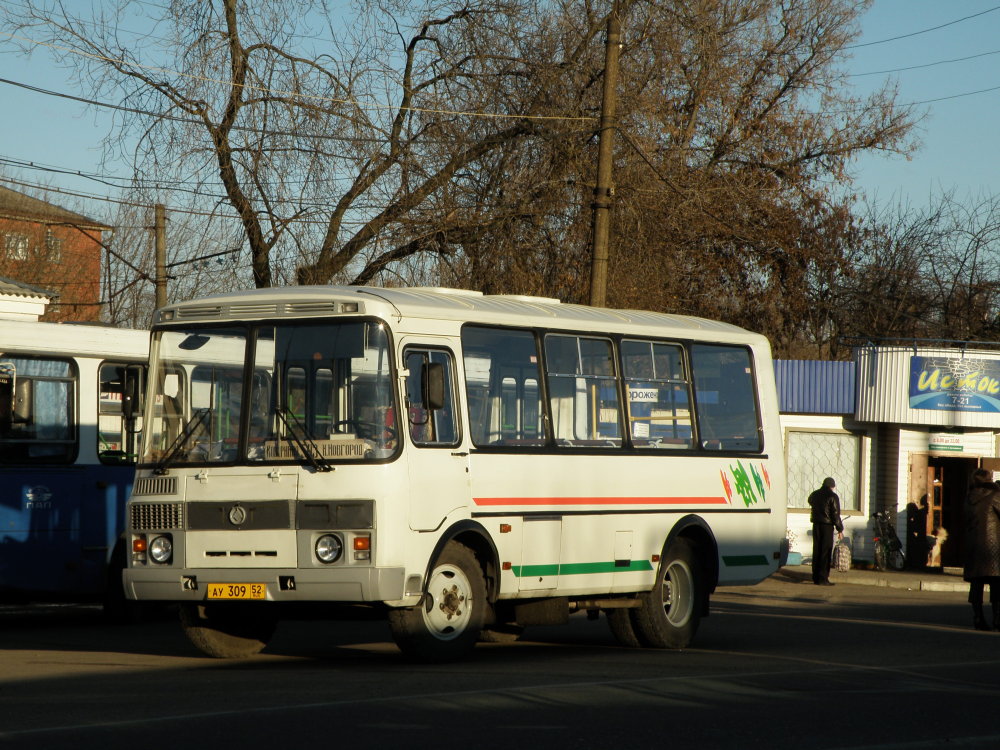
603,189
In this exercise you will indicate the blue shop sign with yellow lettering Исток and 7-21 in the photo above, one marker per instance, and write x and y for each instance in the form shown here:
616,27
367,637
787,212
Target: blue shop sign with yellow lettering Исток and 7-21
955,384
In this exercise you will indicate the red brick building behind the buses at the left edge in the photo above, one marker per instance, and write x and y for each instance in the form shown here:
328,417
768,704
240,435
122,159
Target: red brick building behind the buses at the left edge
54,249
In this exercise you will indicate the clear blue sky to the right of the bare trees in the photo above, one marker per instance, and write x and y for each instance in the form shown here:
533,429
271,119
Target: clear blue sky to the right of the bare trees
959,134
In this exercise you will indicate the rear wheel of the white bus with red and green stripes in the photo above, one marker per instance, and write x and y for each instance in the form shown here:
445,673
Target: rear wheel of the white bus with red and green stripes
668,616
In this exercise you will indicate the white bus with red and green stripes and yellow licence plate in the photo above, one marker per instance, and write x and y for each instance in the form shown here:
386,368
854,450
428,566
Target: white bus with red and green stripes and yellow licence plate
472,464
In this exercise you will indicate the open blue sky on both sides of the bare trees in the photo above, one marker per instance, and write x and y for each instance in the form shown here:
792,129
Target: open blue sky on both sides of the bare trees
959,149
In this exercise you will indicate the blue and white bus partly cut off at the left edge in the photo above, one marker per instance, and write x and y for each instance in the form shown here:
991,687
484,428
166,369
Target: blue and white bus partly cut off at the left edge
69,427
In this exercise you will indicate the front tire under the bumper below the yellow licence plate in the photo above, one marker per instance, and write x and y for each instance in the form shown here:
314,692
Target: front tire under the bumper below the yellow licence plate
229,631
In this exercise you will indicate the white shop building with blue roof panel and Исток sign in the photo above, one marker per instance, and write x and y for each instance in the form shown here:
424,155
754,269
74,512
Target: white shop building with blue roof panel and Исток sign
901,429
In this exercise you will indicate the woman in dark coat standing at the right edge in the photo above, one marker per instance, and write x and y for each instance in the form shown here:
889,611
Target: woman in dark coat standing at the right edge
982,546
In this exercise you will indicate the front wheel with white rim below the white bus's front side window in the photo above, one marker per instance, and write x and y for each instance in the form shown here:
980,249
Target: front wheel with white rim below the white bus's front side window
448,622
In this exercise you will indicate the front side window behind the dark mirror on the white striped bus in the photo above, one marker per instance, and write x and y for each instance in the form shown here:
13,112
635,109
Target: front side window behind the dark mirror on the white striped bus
428,426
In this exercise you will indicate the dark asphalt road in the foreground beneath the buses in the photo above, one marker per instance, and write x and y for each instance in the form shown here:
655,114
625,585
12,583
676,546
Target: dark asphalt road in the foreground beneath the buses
782,664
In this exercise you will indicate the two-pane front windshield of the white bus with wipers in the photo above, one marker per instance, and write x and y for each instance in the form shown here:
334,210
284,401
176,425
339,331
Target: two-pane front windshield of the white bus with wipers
271,393
